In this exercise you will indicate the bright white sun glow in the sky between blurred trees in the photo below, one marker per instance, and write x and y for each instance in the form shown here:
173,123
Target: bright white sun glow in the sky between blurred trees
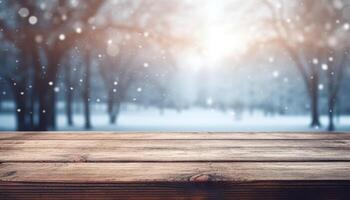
219,36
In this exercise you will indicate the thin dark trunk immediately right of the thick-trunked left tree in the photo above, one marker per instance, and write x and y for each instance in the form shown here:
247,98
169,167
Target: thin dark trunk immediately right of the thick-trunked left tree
69,97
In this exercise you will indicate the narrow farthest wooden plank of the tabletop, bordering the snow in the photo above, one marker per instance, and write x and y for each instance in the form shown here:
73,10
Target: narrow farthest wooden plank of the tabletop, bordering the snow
169,135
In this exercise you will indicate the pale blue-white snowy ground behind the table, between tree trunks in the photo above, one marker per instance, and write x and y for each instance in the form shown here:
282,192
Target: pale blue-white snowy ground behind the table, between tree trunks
195,119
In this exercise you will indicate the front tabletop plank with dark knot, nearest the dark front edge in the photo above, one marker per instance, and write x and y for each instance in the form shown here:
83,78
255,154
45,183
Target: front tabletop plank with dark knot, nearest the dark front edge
173,172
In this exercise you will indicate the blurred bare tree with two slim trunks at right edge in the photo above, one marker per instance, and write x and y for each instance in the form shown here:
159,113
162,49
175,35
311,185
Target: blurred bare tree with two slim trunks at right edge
315,40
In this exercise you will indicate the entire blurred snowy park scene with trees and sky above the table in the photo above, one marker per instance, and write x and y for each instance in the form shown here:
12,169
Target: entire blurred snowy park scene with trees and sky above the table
175,65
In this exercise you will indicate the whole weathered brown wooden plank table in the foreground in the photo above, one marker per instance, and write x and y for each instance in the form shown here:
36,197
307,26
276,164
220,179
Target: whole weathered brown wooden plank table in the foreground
174,165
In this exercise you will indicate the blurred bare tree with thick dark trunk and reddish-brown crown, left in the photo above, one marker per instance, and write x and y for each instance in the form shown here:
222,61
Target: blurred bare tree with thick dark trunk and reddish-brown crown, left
38,34
